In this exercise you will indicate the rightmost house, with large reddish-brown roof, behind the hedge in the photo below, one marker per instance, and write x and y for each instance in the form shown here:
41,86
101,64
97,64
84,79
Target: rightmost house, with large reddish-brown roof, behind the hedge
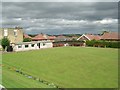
111,36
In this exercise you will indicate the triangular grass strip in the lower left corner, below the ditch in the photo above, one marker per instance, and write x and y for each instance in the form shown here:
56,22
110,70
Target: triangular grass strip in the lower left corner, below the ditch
16,80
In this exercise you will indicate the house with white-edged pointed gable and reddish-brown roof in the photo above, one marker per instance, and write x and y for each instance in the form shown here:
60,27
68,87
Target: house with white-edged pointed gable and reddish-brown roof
89,37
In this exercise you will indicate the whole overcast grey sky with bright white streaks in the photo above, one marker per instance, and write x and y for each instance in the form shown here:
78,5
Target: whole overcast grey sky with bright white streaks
61,17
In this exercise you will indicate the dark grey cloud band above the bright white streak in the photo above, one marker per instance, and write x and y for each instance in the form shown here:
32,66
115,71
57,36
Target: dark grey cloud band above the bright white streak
61,10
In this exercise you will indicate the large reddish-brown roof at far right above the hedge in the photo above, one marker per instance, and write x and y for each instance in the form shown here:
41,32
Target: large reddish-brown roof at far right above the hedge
111,35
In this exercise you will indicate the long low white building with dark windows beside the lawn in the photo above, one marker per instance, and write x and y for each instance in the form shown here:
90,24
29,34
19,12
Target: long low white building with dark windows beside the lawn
32,45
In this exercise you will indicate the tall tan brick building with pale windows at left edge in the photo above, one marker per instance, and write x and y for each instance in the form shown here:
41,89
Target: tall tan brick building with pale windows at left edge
15,35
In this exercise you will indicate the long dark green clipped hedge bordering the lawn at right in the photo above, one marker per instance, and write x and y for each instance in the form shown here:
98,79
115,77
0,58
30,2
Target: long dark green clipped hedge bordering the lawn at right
109,44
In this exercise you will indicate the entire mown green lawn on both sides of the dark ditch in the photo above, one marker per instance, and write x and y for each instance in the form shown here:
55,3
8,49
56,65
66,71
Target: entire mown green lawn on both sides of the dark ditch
67,67
